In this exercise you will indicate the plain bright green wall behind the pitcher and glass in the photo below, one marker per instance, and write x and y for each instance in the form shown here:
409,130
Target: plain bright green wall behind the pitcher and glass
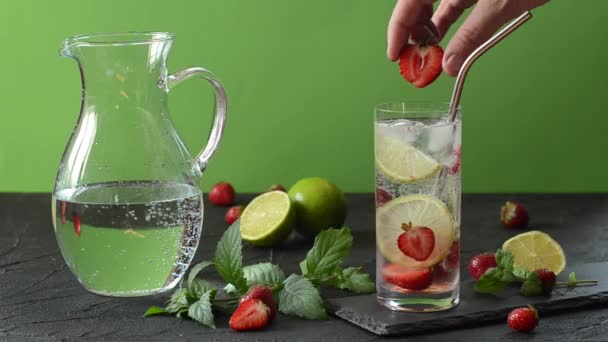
302,80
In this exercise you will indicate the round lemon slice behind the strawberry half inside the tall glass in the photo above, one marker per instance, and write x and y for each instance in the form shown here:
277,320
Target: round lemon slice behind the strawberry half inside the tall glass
420,210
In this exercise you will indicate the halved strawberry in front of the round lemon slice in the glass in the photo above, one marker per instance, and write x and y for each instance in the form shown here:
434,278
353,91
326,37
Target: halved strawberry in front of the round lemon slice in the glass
416,242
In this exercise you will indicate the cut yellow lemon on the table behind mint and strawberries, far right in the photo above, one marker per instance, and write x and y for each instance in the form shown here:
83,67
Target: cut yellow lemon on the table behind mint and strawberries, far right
533,250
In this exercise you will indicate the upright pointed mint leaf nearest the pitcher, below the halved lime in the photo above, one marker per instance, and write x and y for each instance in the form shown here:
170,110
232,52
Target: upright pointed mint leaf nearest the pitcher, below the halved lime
228,258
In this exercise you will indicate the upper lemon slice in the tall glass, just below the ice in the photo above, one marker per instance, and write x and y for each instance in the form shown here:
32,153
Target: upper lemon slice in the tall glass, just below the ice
402,162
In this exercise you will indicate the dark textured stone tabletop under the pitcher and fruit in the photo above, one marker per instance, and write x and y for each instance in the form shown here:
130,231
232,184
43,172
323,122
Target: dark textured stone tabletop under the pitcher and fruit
40,300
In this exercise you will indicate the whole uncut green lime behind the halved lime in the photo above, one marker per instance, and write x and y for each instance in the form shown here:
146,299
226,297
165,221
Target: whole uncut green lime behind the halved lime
319,205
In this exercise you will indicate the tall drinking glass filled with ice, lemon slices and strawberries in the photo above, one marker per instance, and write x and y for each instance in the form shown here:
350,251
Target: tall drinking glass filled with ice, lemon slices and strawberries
417,154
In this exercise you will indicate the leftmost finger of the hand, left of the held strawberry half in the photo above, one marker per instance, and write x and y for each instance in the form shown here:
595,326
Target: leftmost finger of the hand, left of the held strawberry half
405,15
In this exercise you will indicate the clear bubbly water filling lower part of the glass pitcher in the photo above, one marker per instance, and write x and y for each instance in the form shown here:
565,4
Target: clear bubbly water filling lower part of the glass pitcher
128,238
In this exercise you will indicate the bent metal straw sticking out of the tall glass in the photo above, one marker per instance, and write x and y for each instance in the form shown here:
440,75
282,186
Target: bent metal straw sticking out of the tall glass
462,74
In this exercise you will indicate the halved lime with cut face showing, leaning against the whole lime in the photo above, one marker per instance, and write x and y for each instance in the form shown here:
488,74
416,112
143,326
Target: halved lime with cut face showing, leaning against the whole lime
268,219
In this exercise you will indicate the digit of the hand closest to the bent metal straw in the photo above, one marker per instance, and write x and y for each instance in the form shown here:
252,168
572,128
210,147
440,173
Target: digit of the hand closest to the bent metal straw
484,20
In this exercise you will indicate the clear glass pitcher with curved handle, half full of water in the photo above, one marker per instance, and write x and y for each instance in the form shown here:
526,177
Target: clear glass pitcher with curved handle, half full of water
127,210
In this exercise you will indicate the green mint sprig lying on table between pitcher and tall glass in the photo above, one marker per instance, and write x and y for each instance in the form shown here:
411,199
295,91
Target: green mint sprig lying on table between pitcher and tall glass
297,295
